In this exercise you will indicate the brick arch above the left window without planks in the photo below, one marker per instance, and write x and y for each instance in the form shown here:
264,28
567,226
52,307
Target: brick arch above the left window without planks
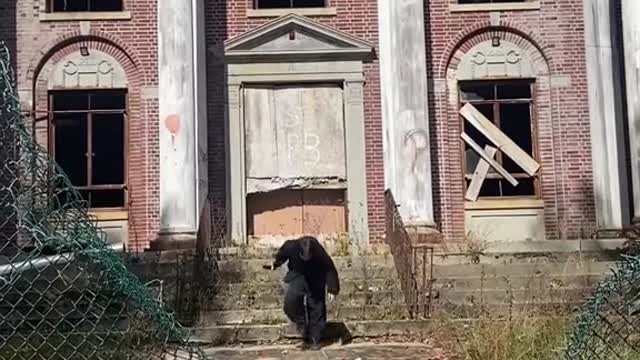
55,50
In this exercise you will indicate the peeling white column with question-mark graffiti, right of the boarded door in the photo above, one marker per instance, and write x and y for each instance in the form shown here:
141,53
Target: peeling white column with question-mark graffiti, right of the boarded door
403,70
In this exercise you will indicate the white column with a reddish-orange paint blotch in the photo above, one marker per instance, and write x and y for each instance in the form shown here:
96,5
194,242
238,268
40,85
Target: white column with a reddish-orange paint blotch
178,124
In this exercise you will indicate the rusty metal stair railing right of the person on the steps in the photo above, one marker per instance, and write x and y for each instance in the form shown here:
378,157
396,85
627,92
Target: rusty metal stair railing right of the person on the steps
413,262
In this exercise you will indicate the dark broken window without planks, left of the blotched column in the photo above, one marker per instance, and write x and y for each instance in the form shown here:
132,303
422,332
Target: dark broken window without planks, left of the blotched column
88,139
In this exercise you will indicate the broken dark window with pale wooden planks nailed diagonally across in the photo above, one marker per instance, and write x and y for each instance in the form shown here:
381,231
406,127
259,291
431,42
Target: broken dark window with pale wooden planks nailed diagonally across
507,108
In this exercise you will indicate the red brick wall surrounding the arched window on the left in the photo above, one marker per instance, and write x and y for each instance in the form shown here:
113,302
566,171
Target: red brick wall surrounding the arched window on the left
133,43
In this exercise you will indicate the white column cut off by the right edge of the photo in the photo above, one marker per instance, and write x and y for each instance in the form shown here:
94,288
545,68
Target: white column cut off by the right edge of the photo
631,38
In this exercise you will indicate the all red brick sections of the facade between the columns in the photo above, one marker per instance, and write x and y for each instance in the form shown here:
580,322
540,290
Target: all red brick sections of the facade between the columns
553,36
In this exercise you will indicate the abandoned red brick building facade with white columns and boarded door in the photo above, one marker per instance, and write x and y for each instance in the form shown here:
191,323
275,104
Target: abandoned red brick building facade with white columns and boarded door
265,119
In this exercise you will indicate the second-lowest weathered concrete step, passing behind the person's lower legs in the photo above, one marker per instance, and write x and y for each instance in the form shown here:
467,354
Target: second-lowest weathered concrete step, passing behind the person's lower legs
334,311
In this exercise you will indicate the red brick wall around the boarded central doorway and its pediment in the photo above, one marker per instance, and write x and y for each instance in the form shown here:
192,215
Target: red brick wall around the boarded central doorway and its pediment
227,19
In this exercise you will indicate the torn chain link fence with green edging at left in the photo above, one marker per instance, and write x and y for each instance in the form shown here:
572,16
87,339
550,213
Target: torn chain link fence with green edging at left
64,292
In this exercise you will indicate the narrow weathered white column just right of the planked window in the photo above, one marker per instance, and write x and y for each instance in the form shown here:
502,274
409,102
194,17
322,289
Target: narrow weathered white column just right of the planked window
606,115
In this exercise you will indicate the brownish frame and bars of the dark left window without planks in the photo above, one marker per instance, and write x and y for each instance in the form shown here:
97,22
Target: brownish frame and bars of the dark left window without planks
51,141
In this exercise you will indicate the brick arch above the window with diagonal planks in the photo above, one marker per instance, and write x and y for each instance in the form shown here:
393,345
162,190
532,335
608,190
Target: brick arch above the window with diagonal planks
483,31
